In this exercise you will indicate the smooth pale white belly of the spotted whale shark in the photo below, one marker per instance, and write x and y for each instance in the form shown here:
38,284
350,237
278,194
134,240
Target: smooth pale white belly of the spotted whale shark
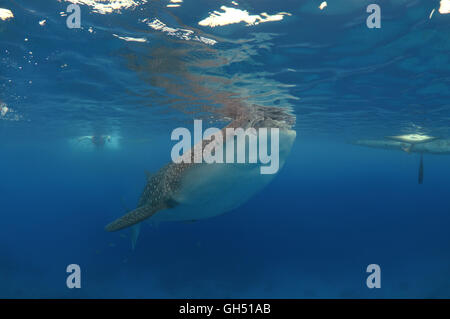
209,190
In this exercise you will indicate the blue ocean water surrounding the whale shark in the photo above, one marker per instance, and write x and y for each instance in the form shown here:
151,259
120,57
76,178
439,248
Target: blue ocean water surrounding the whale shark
139,71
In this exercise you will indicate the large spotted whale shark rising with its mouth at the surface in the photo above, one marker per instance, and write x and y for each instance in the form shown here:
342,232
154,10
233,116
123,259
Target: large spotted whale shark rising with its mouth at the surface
193,191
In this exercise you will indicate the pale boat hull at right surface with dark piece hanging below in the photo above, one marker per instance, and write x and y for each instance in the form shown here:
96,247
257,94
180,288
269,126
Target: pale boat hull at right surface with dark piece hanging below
411,144
